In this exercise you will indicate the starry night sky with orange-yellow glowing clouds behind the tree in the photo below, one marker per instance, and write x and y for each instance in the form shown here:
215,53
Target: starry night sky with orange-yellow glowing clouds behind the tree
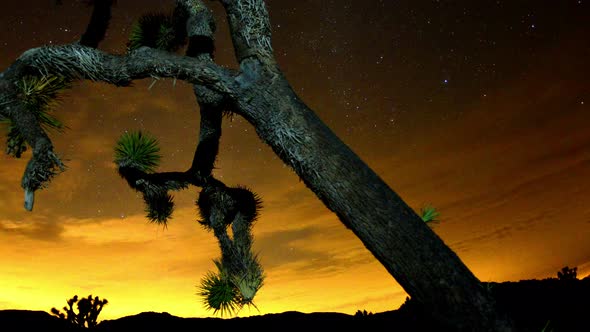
479,108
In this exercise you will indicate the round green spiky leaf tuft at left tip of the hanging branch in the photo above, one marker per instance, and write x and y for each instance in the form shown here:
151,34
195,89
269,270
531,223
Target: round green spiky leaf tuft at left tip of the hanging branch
137,150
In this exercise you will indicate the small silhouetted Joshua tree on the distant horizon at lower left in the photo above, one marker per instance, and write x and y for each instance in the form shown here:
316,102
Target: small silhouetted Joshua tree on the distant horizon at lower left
88,310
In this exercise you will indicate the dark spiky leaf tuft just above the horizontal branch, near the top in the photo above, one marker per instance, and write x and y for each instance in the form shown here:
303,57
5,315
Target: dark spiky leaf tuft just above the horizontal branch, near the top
156,30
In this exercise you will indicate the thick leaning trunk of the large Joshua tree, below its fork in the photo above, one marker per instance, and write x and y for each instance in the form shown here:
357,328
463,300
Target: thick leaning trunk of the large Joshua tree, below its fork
428,270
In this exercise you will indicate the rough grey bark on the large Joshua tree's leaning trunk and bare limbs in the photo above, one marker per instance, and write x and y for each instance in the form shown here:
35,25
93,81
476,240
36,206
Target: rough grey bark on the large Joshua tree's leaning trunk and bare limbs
427,269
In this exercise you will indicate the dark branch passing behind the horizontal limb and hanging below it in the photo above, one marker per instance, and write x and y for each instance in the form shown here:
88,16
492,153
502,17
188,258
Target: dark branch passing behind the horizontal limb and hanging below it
155,186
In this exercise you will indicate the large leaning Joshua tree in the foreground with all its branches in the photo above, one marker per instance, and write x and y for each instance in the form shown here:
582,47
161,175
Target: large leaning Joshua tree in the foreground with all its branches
427,269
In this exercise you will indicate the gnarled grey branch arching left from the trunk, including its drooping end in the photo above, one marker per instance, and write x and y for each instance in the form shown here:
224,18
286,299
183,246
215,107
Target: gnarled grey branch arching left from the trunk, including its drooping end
75,61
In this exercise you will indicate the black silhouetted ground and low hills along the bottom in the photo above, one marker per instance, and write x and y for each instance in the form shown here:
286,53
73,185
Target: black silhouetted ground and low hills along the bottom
536,305
